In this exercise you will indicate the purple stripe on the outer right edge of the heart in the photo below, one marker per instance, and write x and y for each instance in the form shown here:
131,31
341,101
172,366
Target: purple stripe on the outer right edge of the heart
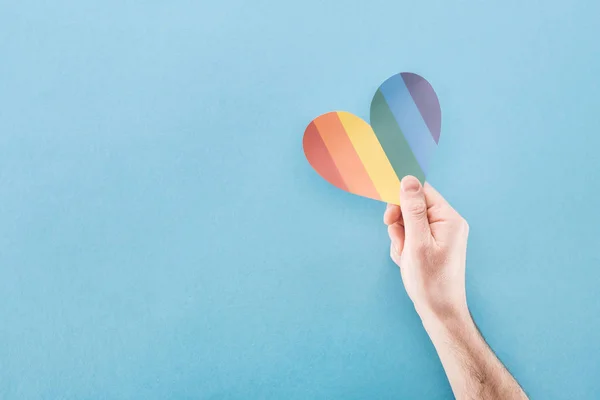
427,102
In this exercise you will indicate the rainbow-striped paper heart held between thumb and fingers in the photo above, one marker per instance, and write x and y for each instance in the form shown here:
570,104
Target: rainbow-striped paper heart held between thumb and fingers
370,160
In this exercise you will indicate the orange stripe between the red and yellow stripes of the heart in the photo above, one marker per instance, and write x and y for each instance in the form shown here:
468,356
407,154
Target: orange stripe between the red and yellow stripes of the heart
344,156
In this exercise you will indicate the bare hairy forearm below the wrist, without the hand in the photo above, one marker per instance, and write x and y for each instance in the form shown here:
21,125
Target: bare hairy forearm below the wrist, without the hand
472,368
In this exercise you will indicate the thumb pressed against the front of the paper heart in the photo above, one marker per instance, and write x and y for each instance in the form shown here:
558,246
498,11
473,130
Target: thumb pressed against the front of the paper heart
414,210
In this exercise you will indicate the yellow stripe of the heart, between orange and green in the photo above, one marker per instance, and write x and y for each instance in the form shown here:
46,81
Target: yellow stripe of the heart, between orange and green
373,157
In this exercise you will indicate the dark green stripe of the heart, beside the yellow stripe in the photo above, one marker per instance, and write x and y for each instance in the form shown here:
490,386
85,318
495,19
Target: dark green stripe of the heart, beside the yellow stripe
392,139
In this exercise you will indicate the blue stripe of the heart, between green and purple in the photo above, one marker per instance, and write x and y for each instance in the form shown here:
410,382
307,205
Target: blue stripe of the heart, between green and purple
409,120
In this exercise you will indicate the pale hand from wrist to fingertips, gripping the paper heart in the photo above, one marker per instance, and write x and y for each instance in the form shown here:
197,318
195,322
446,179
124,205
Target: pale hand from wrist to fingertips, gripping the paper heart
429,243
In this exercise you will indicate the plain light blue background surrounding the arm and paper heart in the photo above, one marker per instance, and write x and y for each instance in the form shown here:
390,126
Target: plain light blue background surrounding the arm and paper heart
162,235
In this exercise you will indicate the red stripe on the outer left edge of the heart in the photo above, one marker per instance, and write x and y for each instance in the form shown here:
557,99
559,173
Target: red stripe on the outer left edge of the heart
318,156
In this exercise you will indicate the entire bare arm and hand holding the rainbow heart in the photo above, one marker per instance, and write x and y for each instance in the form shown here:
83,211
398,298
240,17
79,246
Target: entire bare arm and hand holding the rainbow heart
429,244
